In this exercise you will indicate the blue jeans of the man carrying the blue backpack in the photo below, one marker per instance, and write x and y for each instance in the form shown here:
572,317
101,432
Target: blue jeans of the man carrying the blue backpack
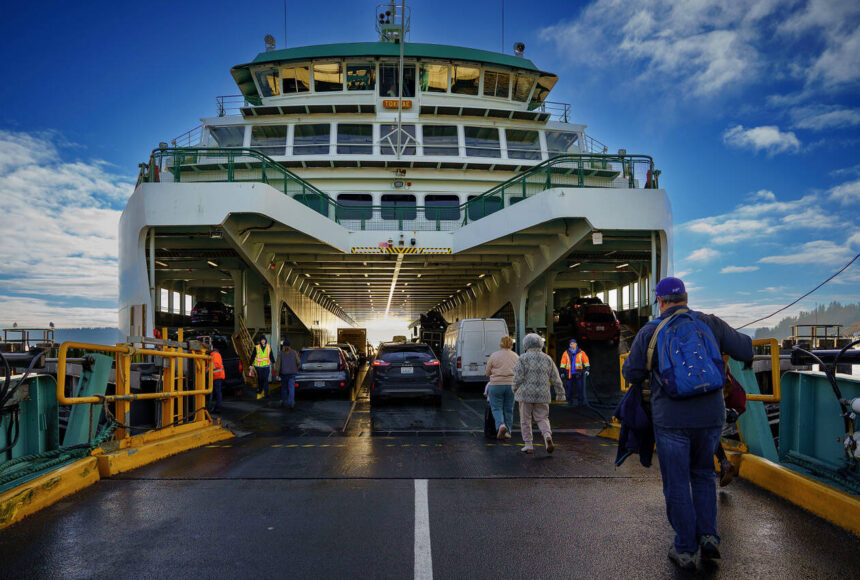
687,464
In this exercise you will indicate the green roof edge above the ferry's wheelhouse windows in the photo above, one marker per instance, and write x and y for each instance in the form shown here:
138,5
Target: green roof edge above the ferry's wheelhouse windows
242,72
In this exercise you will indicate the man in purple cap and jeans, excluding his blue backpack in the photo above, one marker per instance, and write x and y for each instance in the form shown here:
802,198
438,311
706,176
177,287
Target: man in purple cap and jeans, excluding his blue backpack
686,430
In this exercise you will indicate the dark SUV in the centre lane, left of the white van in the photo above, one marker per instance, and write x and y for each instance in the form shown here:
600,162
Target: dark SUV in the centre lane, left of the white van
403,369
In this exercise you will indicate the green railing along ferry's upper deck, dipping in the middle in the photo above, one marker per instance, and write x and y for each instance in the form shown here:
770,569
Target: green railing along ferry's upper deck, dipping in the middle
204,164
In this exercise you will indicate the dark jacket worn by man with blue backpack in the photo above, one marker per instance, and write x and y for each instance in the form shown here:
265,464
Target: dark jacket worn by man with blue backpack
706,410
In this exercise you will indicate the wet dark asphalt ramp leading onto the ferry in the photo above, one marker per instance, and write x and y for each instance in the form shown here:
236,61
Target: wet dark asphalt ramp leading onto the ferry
329,491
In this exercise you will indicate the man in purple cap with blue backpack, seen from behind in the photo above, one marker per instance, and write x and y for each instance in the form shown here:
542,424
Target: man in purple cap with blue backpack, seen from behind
677,360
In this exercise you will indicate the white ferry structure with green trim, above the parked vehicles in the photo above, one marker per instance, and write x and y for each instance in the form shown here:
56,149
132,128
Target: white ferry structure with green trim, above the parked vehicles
329,191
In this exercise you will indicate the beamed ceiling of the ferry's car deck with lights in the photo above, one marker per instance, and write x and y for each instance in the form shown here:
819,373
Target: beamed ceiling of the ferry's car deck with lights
361,284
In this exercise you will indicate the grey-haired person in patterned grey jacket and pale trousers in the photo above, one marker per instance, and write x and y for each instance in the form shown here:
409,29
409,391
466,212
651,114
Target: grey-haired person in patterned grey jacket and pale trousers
534,374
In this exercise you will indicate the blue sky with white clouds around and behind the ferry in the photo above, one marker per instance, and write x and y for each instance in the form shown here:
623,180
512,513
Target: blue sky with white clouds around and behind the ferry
750,109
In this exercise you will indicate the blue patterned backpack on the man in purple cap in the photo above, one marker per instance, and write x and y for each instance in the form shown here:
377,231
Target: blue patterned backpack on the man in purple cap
689,362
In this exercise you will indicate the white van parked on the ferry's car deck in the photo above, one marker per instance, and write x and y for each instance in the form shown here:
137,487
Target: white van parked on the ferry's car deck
468,344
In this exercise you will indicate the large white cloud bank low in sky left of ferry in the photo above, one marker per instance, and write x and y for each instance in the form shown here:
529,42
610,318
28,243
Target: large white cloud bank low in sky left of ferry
60,228
